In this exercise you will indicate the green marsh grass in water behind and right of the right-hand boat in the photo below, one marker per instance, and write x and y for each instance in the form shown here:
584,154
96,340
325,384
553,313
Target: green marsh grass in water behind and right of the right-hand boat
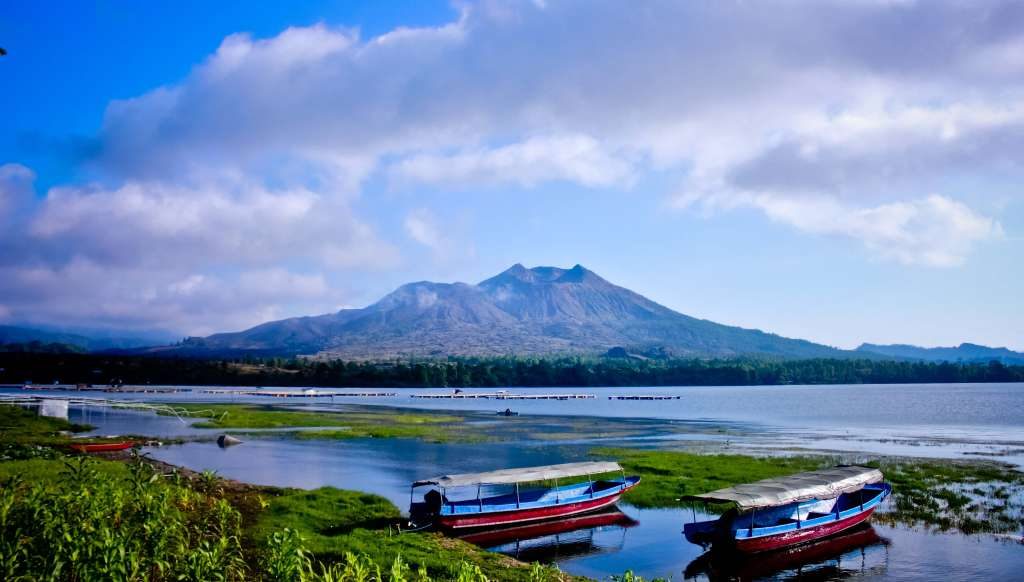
969,497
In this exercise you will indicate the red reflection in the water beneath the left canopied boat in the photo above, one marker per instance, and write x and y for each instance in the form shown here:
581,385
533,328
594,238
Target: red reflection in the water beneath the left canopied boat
551,542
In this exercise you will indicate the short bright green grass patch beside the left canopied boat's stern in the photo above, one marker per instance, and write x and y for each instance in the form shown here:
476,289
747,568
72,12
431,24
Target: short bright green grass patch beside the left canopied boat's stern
334,522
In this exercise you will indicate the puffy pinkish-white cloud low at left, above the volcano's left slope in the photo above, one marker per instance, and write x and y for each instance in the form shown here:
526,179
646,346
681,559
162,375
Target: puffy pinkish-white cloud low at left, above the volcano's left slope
157,223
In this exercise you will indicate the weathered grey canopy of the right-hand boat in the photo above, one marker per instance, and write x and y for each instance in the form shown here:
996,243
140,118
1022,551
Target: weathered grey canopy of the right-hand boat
825,484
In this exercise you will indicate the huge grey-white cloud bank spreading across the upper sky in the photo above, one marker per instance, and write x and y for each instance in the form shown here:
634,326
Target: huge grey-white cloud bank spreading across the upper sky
829,99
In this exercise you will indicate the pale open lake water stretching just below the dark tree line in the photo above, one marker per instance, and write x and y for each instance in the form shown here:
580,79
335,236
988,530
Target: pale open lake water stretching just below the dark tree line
922,421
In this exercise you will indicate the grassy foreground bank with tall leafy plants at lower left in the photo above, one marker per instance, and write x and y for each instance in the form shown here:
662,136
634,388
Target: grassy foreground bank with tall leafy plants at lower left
66,517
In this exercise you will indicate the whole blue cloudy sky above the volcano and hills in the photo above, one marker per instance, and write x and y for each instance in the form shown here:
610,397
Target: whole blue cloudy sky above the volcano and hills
841,172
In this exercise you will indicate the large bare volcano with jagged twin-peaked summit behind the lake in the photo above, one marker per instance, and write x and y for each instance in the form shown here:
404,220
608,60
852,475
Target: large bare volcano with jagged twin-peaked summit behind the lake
525,312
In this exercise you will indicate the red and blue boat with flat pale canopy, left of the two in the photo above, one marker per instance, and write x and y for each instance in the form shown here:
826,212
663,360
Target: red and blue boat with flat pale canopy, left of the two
505,506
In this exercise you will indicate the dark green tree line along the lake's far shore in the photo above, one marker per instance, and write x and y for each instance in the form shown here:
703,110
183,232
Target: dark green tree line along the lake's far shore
17,368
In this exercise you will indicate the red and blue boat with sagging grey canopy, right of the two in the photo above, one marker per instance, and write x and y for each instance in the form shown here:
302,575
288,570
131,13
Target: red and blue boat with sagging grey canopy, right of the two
781,513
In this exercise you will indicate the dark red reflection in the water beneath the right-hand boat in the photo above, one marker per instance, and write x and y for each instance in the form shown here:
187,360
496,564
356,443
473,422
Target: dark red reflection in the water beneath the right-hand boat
857,553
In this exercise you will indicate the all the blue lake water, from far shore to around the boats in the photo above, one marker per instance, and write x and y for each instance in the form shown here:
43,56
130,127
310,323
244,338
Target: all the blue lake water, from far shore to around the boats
937,421
